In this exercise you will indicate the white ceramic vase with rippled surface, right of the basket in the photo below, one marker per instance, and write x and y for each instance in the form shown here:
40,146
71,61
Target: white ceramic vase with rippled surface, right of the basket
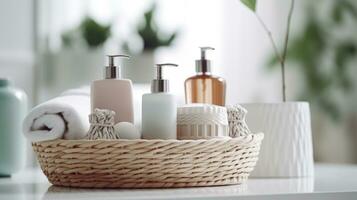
287,147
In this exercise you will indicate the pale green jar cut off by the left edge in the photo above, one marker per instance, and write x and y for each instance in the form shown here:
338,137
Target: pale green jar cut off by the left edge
13,108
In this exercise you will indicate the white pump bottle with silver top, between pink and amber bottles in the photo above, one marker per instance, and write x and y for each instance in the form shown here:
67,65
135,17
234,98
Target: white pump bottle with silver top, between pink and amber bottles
159,109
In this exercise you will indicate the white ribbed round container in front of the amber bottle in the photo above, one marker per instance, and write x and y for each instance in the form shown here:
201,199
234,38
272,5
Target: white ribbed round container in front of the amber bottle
201,121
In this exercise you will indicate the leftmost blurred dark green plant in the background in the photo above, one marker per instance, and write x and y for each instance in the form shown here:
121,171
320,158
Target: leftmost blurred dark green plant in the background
93,33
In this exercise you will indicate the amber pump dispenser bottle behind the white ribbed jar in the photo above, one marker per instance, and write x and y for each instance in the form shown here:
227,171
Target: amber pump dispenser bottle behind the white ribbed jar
204,87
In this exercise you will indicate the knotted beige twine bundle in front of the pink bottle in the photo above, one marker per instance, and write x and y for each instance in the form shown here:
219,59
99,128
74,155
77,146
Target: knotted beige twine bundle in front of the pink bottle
101,125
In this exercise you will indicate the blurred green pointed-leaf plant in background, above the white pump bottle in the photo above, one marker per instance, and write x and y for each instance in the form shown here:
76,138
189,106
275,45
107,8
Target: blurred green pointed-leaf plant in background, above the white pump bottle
150,33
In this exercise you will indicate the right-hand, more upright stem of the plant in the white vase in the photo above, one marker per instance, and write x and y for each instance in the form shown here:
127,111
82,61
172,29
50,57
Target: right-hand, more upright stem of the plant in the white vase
286,48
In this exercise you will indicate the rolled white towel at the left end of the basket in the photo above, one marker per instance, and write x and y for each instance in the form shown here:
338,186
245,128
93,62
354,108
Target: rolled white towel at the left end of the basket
64,117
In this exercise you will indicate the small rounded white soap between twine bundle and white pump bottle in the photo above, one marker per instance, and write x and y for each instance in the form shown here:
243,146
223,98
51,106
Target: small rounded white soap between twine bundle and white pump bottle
127,130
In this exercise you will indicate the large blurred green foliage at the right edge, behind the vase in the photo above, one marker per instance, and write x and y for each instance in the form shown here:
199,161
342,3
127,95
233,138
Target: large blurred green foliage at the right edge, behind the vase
323,58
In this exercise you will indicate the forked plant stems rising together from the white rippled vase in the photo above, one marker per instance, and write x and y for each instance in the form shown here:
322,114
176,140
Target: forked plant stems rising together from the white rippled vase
281,57
